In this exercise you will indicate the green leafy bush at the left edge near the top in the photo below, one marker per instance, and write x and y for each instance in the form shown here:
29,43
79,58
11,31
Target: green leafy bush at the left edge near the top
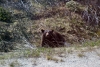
5,15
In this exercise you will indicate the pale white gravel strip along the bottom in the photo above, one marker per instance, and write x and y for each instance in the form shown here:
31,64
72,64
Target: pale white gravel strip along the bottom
90,59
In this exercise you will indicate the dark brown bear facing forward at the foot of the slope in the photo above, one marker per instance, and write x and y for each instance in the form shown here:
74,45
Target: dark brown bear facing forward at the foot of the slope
50,38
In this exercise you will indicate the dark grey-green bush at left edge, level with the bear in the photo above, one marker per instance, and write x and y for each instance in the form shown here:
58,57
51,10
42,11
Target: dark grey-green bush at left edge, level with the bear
6,43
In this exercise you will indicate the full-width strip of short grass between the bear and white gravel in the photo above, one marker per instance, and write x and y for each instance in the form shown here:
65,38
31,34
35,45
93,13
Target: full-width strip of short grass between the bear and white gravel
50,52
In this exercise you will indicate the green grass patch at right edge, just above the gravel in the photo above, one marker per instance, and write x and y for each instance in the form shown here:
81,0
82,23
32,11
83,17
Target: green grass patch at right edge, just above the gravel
89,45
